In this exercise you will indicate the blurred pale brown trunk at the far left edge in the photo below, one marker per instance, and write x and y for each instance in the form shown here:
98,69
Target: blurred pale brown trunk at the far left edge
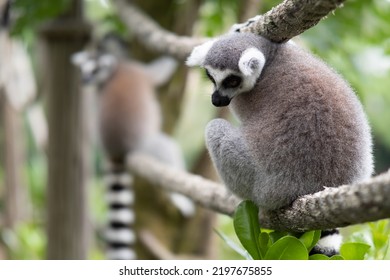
12,142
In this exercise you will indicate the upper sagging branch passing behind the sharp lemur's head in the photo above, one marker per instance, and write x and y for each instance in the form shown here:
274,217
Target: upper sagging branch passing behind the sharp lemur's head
288,19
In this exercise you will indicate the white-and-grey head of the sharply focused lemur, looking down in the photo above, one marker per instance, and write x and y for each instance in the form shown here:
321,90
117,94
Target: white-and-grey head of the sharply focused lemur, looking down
232,64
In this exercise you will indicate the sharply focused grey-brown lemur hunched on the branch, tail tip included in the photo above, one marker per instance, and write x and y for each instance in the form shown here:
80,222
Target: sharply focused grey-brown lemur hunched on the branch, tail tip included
302,128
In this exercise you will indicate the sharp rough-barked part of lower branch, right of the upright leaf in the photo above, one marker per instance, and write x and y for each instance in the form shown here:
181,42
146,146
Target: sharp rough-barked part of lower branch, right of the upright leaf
335,207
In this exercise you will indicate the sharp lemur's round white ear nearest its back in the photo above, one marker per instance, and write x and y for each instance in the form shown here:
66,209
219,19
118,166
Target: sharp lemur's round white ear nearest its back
251,61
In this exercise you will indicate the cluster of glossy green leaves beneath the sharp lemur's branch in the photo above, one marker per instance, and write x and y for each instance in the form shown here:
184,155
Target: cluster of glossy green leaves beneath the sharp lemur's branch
263,244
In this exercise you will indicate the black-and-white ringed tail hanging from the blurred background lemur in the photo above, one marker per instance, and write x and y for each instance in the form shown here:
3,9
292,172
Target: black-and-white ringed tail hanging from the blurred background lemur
119,234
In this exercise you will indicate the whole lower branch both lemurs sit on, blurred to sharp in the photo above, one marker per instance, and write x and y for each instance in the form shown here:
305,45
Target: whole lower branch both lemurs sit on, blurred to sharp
330,208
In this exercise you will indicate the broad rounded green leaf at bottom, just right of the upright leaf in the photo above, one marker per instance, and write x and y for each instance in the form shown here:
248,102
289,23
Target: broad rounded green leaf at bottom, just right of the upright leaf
287,248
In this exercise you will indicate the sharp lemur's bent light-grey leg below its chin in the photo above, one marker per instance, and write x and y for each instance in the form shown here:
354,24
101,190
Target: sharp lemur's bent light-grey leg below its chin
230,157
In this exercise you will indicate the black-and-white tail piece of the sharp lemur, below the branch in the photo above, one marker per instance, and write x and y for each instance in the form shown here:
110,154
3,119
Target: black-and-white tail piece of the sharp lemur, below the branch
329,243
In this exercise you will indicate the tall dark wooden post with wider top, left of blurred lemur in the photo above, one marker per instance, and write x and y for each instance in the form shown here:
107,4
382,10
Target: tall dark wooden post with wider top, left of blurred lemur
67,219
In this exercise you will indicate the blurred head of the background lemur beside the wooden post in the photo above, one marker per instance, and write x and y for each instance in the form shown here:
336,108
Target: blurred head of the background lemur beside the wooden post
95,68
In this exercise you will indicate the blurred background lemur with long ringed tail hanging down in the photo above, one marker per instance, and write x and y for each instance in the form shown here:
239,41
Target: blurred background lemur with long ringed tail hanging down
129,121
